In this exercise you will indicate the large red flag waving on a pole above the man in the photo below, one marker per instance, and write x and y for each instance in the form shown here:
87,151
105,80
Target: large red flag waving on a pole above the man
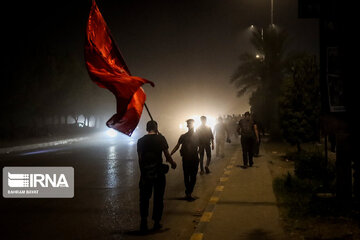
108,69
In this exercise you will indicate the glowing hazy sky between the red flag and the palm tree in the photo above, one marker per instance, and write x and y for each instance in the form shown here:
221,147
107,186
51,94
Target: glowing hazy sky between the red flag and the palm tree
190,49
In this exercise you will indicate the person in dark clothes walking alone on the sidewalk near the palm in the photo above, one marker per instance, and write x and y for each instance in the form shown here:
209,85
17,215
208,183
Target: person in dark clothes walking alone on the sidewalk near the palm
249,136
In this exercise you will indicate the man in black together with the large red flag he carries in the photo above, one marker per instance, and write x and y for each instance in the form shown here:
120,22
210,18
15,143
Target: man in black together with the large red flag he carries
108,70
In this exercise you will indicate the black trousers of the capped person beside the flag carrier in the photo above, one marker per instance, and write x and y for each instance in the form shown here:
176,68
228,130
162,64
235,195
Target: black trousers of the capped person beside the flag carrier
190,168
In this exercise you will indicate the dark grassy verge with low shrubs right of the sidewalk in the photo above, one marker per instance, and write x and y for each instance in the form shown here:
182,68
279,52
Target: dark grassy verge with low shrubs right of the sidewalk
305,214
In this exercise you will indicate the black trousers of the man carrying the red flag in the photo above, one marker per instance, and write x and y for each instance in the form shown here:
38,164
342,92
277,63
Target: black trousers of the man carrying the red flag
146,188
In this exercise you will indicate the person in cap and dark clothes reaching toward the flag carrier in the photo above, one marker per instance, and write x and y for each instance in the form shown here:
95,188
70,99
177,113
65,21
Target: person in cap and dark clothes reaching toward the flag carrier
190,159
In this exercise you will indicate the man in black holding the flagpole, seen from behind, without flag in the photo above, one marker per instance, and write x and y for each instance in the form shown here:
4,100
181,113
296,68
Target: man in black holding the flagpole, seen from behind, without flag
150,148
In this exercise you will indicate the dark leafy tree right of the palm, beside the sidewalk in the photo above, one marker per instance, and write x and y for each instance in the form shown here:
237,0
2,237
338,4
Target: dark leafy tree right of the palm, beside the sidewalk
300,101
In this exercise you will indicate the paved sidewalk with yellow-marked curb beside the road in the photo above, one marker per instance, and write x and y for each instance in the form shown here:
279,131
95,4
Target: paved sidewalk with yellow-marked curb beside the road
243,205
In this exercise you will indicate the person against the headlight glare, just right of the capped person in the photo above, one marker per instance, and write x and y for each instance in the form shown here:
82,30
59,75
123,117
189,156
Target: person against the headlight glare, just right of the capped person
206,138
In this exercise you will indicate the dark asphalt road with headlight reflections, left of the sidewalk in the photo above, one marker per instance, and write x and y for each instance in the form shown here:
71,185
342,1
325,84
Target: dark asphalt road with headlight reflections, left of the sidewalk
105,205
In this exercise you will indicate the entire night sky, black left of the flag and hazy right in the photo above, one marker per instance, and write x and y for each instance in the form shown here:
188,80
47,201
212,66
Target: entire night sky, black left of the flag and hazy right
189,49
